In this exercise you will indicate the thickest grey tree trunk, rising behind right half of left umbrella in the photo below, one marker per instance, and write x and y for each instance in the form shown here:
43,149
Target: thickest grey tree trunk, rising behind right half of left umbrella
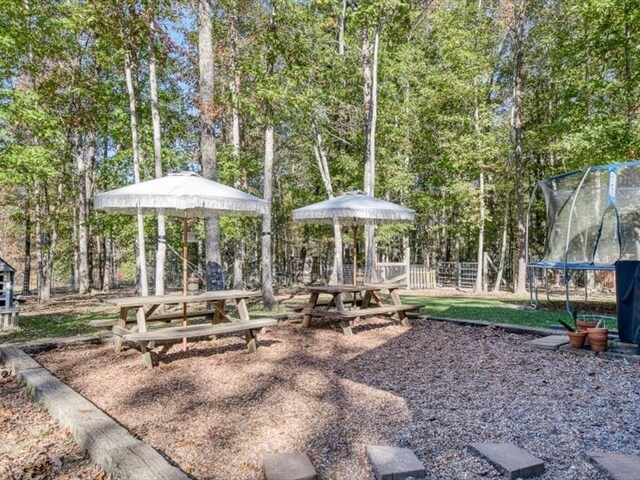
213,258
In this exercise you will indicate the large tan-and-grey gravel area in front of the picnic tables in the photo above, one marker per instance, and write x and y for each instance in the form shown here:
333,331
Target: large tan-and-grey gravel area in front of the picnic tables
434,388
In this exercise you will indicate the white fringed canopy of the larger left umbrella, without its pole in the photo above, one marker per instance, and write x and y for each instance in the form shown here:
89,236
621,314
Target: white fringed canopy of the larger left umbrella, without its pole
184,194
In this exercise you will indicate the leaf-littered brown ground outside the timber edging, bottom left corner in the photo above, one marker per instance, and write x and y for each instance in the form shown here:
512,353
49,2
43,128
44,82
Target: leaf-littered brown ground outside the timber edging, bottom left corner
32,446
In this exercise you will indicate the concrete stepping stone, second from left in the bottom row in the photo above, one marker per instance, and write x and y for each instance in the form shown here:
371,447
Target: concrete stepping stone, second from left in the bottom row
393,463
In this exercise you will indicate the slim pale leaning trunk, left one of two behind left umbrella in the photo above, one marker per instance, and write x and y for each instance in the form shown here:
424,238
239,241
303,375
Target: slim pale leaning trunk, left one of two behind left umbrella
141,263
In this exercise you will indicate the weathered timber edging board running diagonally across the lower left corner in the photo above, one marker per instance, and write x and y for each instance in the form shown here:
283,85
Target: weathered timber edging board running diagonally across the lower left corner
109,444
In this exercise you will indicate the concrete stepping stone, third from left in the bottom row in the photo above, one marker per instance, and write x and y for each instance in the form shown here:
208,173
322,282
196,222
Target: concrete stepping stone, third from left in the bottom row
510,460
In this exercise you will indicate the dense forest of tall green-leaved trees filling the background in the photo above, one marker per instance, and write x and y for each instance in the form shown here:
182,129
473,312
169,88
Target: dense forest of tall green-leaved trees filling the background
453,108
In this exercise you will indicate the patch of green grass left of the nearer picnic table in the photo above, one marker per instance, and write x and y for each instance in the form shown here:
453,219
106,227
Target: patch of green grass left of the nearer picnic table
34,327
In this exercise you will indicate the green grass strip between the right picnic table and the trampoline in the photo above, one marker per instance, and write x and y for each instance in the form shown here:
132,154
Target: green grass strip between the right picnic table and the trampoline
494,310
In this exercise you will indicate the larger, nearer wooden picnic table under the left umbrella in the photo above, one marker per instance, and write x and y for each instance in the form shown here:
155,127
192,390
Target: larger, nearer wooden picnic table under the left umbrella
217,312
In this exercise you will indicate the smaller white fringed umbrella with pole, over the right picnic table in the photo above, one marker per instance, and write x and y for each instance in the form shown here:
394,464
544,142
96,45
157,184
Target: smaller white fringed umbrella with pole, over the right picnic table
356,208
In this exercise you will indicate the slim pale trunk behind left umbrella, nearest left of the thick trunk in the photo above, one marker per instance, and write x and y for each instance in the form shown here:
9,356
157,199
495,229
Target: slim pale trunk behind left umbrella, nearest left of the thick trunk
161,248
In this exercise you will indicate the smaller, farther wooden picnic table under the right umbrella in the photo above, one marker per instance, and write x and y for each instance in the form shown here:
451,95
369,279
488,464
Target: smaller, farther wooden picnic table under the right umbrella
370,304
